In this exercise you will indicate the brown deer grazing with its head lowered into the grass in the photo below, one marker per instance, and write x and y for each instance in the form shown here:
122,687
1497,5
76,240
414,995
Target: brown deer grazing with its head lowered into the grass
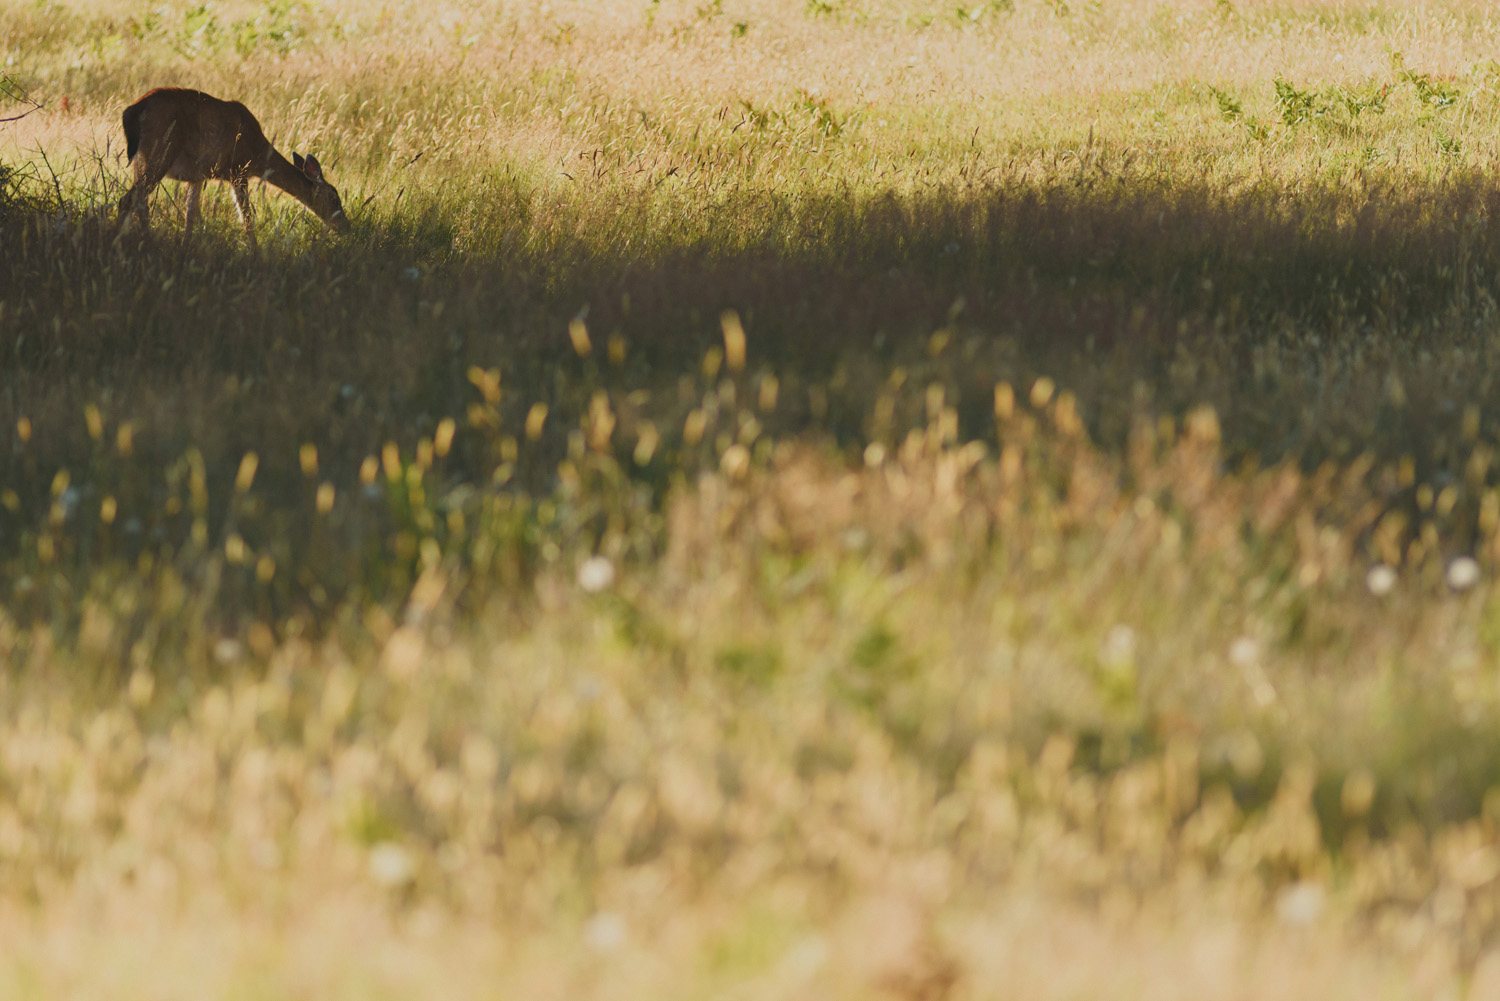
191,137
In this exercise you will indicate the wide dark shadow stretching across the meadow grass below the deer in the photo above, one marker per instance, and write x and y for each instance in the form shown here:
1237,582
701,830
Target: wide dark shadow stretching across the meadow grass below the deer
137,377
